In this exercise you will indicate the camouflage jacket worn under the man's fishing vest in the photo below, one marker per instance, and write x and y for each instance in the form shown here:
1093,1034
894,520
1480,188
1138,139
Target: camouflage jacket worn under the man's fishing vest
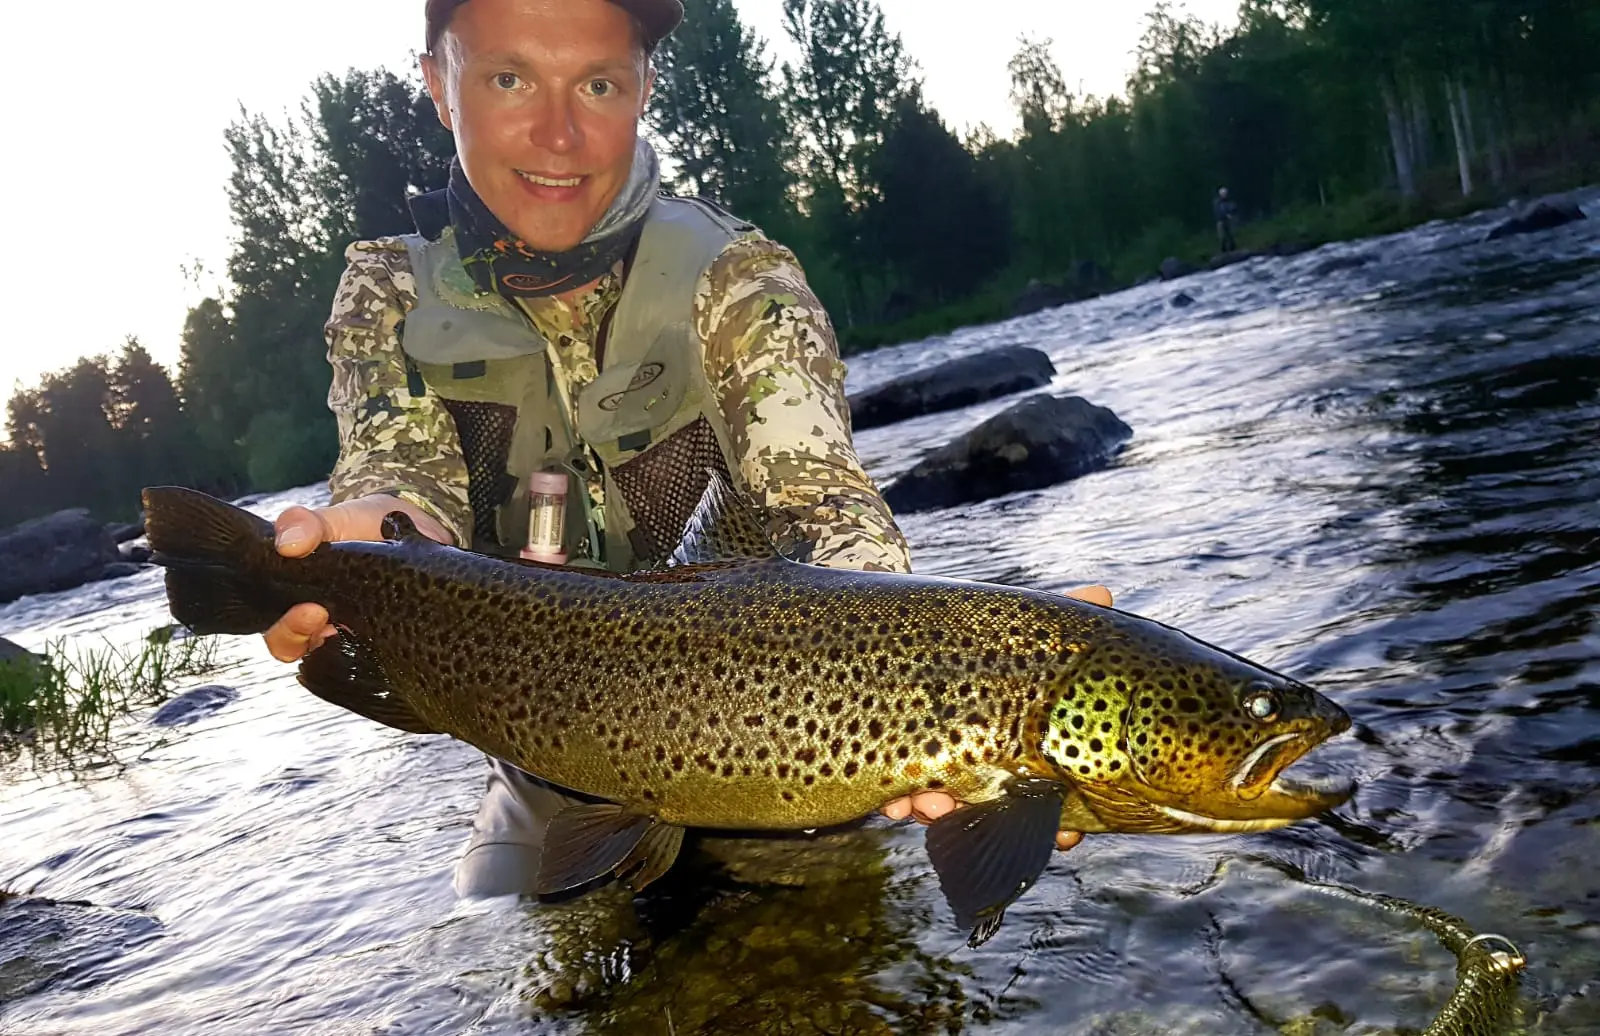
770,359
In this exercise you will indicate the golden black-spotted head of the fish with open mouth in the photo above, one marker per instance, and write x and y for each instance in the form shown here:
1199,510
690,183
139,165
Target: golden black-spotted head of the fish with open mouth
1191,738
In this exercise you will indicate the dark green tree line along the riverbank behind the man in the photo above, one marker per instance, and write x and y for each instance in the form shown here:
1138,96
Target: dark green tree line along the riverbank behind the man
1356,110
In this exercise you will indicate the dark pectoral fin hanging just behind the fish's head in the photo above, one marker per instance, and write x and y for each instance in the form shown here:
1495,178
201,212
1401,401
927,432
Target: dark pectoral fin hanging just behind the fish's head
990,855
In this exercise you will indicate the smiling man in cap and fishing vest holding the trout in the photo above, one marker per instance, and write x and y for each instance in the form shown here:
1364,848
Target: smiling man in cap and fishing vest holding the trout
553,314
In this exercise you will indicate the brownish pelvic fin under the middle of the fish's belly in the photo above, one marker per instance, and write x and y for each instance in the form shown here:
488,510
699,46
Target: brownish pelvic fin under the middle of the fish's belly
586,842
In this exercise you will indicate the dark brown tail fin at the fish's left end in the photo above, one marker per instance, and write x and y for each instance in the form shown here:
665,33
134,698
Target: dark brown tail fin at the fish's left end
220,562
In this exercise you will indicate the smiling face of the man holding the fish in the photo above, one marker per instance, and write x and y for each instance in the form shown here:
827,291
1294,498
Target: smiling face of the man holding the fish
545,100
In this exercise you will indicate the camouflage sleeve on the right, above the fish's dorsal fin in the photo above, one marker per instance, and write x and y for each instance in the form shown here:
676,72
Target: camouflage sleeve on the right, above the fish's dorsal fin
774,364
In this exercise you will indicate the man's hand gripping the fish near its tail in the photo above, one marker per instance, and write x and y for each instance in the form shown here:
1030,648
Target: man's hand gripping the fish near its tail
302,530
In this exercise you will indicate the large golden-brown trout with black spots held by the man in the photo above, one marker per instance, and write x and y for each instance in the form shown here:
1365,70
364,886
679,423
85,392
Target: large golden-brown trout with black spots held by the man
746,691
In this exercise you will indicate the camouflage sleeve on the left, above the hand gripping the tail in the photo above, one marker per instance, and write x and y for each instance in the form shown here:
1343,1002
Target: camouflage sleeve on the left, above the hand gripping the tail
390,440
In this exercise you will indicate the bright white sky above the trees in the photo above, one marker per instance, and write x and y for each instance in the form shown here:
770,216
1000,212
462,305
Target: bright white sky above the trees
118,172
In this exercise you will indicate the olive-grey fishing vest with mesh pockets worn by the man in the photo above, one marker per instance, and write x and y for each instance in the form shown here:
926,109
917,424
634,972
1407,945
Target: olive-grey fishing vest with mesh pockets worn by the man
650,418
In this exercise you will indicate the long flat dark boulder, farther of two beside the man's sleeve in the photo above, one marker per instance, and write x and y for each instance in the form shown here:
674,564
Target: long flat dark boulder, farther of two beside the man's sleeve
953,386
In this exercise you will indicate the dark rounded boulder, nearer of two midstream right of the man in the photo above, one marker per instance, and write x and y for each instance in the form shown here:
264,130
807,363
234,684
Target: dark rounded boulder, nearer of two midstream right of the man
1041,442
